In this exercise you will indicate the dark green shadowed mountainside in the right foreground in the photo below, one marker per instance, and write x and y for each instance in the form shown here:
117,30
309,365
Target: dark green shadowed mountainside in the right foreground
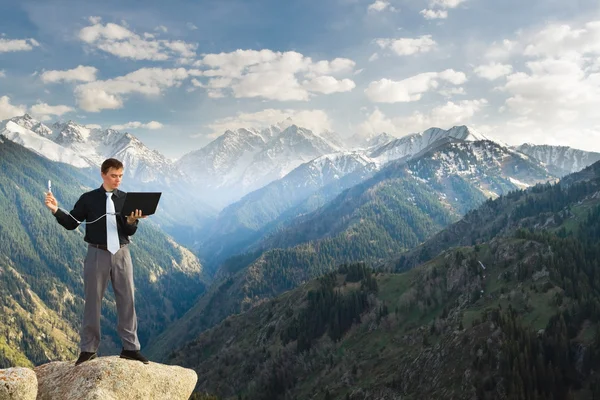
514,316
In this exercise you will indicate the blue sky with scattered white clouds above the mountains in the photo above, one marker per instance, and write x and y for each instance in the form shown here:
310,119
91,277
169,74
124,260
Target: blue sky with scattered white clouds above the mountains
178,74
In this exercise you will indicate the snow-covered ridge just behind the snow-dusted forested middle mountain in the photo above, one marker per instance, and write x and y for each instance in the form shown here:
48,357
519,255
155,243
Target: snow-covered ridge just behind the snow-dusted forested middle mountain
410,145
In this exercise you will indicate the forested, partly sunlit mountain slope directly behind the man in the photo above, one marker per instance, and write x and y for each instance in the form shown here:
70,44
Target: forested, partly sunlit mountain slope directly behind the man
41,289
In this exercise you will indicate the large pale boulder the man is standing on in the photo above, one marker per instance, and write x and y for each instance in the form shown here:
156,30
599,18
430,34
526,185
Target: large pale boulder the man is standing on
113,378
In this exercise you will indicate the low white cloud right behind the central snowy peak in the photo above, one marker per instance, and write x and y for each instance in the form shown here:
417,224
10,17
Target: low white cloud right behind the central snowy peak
315,120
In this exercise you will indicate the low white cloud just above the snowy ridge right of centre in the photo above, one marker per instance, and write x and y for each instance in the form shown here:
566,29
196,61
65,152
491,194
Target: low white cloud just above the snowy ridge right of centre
444,116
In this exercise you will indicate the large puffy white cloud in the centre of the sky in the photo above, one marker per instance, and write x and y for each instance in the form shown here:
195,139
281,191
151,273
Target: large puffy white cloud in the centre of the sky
273,75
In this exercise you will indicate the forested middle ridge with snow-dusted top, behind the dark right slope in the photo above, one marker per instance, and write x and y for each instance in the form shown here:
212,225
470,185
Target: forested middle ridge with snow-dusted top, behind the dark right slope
398,208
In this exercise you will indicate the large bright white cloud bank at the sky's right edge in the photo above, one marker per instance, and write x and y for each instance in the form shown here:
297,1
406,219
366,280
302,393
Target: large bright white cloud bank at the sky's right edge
555,95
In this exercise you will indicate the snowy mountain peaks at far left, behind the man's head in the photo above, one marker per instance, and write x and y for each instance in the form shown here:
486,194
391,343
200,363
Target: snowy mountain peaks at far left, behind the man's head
84,147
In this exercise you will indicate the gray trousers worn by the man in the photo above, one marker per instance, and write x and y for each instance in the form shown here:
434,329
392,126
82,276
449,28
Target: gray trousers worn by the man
100,266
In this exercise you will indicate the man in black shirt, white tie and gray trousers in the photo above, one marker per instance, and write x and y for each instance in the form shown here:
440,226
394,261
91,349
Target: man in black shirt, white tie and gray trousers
107,258
